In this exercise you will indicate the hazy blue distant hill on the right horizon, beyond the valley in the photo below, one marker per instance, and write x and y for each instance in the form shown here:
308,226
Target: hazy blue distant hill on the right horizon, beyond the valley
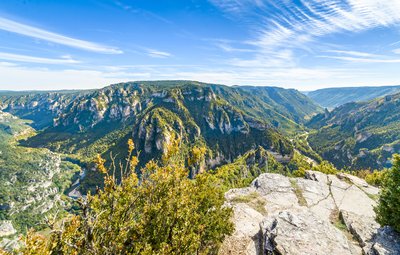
334,97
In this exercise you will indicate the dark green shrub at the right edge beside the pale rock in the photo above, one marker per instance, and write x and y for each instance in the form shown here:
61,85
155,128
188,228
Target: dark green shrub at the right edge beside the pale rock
388,209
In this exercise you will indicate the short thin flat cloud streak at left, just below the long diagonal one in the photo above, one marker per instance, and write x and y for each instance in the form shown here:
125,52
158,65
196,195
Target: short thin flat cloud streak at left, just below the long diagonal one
39,60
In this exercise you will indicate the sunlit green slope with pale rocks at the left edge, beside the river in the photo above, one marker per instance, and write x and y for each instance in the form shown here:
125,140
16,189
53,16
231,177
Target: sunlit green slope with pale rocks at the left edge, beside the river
32,180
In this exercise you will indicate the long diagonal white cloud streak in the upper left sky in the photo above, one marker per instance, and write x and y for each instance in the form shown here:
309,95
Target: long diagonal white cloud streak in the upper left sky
23,29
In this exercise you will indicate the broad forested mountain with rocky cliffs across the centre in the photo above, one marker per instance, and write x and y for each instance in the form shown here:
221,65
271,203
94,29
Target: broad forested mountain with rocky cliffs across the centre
225,121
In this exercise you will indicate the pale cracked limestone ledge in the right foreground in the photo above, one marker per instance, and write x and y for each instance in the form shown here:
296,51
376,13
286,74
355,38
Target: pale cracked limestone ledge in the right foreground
318,214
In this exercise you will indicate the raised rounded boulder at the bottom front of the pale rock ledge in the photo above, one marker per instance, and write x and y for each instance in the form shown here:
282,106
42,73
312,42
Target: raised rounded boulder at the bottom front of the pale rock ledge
301,233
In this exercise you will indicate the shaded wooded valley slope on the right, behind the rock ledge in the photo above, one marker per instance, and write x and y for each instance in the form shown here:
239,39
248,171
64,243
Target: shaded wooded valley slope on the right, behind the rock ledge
359,135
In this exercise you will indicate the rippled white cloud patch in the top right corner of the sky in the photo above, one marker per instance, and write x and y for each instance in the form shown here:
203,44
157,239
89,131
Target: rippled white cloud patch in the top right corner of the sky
288,24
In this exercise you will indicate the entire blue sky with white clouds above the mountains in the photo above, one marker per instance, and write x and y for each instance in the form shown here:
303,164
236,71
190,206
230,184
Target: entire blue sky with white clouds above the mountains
302,44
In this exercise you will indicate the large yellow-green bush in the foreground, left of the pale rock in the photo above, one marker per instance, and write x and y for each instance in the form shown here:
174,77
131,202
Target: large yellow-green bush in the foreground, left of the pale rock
159,212
